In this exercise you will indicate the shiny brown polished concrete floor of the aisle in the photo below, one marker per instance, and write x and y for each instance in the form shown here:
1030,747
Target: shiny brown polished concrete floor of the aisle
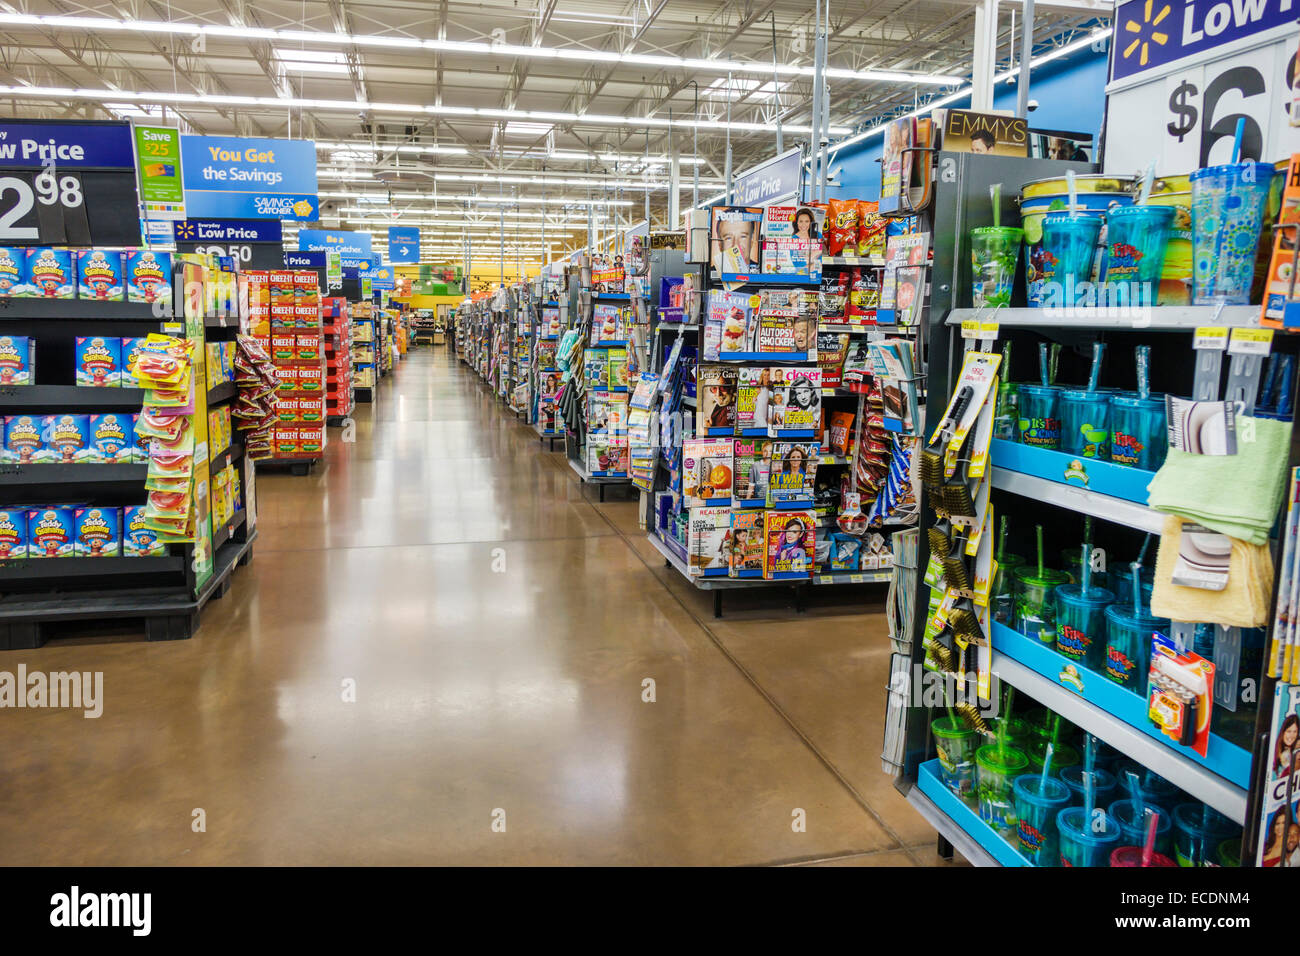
497,624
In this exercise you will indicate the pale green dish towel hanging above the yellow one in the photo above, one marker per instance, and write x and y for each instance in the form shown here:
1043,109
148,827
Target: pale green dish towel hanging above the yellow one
1236,495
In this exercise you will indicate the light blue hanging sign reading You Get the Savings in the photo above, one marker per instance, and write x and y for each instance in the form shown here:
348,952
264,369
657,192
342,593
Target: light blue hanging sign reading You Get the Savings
227,178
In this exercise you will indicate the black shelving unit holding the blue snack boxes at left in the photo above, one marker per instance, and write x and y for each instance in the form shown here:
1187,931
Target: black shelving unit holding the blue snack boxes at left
159,592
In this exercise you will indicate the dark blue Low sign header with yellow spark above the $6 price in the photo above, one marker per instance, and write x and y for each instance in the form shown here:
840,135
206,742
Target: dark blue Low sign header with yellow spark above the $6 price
1154,33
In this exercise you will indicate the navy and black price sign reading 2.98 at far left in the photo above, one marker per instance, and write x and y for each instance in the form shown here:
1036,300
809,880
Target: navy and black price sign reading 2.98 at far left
68,184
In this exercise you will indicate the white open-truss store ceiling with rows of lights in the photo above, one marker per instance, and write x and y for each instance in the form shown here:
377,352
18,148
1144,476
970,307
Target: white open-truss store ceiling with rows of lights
423,129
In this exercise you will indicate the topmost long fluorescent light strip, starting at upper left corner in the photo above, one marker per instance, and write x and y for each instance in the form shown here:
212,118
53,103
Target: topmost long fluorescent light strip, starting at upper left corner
495,50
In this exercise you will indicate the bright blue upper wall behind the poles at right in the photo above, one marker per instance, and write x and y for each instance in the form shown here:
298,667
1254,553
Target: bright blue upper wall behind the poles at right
1072,96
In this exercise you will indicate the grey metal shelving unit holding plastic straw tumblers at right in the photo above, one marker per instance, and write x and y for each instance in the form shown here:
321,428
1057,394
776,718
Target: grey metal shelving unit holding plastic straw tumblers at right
1059,491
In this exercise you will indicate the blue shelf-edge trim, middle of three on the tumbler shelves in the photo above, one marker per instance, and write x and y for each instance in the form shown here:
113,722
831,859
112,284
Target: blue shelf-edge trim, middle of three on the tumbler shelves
1221,758
